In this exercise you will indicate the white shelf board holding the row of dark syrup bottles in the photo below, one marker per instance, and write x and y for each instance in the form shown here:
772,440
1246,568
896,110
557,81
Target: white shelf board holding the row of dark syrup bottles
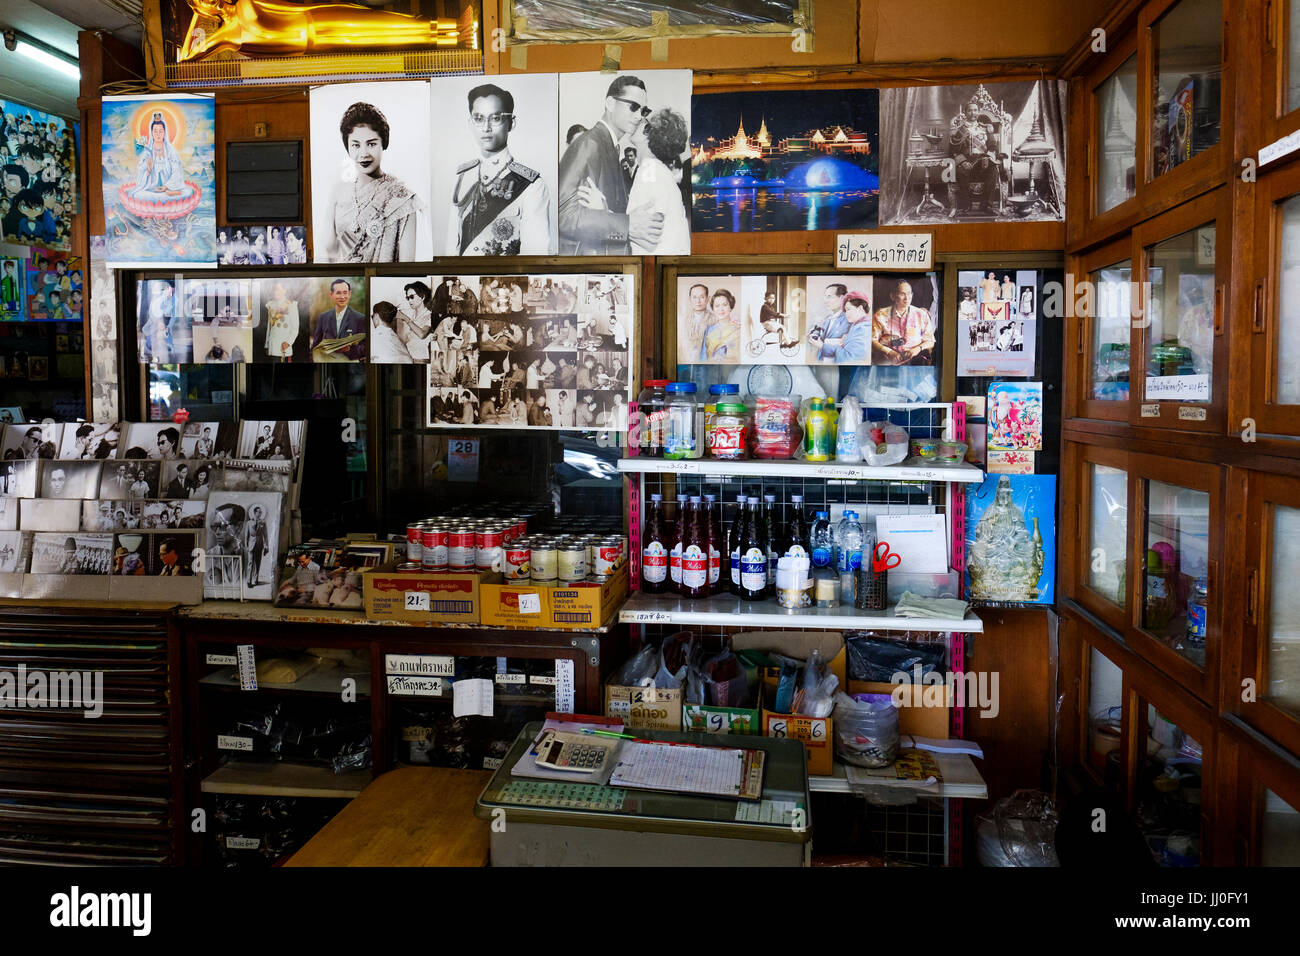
725,611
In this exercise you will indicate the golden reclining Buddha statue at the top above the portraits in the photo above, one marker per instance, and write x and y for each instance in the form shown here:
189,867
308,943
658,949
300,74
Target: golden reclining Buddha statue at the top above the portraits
281,28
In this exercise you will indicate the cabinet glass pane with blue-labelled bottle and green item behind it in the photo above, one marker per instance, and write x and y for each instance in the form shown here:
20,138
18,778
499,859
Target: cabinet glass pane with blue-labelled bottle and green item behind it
1175,589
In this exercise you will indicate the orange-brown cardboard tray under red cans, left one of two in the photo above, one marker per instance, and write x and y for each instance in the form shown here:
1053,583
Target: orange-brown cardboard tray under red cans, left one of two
453,596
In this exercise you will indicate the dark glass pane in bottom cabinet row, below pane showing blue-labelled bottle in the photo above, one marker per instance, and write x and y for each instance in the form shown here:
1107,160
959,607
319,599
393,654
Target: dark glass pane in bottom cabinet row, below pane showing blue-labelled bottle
1169,794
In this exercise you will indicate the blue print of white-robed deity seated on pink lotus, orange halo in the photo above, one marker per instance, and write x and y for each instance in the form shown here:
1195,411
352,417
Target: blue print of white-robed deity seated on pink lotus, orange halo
161,202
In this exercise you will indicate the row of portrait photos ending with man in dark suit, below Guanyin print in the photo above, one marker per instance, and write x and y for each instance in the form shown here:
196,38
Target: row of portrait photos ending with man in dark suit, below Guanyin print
205,321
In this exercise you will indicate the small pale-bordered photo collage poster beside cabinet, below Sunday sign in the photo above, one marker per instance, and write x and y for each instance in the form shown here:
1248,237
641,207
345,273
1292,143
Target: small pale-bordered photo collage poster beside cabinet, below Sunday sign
998,322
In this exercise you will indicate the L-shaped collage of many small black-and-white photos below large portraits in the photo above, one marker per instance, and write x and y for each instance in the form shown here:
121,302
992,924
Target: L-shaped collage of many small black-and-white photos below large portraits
521,352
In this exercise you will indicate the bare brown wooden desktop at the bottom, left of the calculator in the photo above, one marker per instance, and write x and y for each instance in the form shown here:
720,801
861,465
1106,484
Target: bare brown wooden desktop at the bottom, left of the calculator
408,817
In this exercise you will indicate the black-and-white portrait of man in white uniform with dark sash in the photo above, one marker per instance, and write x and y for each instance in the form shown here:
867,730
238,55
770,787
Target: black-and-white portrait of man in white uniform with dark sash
496,175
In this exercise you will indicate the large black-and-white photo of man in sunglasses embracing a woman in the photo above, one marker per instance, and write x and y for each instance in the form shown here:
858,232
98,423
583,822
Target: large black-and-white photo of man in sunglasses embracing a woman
625,168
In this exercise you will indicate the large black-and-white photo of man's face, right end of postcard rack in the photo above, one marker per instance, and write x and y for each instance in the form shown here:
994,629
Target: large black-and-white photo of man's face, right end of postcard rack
242,537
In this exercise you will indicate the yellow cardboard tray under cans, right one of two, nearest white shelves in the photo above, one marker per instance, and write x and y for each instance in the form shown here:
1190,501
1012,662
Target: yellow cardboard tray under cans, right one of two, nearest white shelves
567,609
